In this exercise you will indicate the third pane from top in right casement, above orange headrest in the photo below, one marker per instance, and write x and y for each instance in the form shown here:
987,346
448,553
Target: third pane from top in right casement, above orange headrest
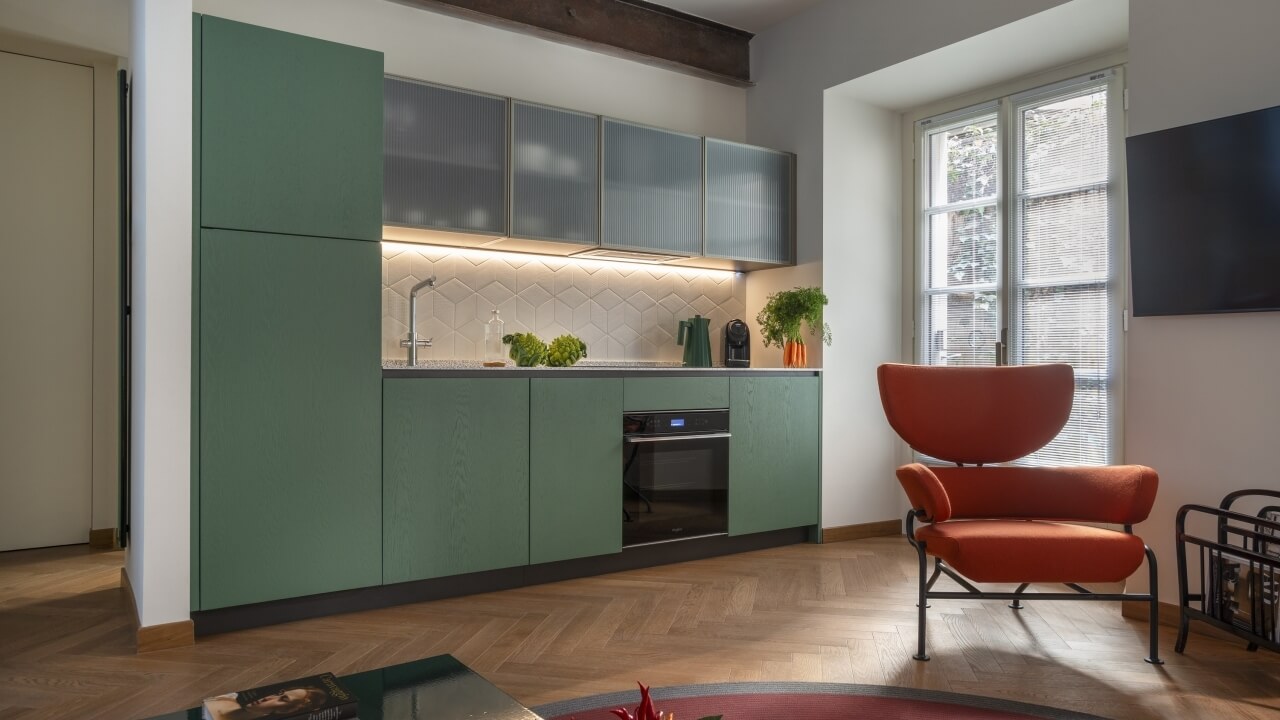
1064,325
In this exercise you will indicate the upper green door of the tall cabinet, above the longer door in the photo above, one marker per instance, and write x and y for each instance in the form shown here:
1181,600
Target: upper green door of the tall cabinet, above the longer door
292,134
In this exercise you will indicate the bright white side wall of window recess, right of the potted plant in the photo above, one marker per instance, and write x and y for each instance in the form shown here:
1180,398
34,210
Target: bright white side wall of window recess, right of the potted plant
862,221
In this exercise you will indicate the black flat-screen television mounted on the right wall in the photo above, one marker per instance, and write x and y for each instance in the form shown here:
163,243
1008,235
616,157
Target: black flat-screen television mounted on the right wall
1205,217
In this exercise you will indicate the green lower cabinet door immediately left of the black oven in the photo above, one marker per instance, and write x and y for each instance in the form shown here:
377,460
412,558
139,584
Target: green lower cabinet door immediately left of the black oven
575,468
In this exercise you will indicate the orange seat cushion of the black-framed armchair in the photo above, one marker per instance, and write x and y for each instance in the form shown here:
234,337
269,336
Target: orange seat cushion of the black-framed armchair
1034,552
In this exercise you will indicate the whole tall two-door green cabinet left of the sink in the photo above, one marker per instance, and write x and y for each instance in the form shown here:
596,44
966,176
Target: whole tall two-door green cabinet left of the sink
287,370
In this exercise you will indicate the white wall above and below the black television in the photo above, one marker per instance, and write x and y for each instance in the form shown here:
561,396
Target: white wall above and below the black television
1204,399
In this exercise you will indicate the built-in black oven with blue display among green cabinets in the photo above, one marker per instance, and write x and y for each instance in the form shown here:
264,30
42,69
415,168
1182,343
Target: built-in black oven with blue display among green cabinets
675,476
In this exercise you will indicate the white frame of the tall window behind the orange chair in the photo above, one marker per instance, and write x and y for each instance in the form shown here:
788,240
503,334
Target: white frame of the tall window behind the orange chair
1007,110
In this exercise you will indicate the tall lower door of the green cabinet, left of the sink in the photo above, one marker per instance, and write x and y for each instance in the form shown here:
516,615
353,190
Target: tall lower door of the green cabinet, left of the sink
290,417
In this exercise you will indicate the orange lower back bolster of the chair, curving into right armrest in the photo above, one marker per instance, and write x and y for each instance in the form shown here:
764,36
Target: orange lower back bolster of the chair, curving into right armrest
1113,494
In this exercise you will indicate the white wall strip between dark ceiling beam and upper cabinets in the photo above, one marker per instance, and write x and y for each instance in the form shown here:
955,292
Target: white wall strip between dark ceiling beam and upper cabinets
450,51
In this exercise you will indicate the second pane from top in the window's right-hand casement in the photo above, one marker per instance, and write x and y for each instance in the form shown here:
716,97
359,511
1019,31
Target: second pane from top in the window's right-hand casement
1066,236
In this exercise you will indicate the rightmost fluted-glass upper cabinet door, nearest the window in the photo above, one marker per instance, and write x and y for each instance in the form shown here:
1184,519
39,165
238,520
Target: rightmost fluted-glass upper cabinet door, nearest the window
749,203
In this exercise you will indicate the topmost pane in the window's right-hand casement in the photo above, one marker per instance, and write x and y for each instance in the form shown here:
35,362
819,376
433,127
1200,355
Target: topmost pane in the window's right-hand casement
1066,143
